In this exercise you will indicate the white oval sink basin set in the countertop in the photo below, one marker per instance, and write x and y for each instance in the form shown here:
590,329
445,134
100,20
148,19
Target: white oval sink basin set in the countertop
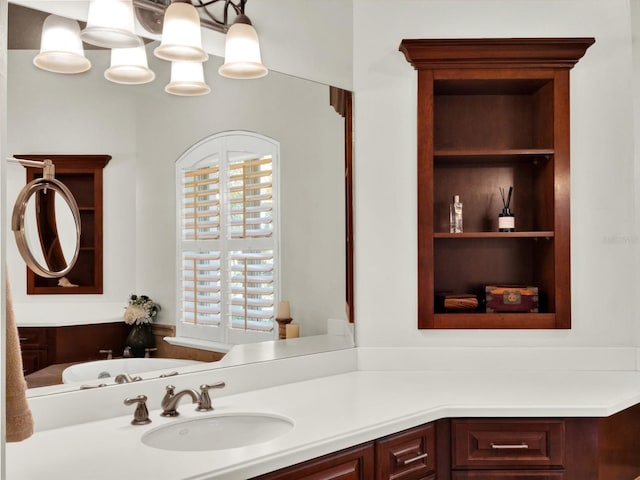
218,432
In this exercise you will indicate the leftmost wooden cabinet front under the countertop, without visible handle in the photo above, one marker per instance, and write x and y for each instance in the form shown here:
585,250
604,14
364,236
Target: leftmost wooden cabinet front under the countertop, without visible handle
355,463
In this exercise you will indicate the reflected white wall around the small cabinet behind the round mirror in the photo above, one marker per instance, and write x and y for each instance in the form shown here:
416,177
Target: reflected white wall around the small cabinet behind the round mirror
50,113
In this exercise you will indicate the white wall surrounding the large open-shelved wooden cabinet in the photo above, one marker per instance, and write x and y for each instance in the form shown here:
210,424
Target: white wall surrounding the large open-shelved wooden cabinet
604,224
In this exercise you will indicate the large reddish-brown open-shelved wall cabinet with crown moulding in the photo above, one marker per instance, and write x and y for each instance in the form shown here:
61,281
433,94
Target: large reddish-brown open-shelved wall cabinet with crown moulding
494,113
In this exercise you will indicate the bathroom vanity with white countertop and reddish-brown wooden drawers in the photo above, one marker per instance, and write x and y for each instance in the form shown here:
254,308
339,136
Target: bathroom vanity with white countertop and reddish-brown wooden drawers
353,423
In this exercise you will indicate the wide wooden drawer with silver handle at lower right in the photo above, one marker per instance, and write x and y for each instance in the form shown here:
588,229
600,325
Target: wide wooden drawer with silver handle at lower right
507,443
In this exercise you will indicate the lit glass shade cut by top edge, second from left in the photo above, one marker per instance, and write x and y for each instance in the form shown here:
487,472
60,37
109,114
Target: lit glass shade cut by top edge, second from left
110,24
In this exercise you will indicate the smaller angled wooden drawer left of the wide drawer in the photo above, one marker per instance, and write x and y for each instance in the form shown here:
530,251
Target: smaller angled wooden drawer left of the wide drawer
408,455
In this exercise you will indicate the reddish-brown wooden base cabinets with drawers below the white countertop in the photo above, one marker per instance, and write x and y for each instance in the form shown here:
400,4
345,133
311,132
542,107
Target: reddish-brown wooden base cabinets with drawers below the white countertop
490,449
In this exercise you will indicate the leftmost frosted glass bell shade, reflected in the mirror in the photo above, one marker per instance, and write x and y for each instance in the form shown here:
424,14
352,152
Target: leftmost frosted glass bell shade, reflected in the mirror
60,47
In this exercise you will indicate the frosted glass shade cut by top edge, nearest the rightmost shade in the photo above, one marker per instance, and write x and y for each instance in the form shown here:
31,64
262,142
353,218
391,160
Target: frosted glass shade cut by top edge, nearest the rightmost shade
181,35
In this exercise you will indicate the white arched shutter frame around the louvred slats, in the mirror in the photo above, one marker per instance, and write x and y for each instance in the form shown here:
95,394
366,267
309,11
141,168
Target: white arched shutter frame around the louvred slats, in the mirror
201,155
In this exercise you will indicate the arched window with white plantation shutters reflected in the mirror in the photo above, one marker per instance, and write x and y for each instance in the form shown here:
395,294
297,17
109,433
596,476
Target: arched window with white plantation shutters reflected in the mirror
228,238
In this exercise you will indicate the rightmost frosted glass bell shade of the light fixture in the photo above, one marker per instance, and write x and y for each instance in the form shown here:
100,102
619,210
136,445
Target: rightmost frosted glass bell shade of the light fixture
242,58
